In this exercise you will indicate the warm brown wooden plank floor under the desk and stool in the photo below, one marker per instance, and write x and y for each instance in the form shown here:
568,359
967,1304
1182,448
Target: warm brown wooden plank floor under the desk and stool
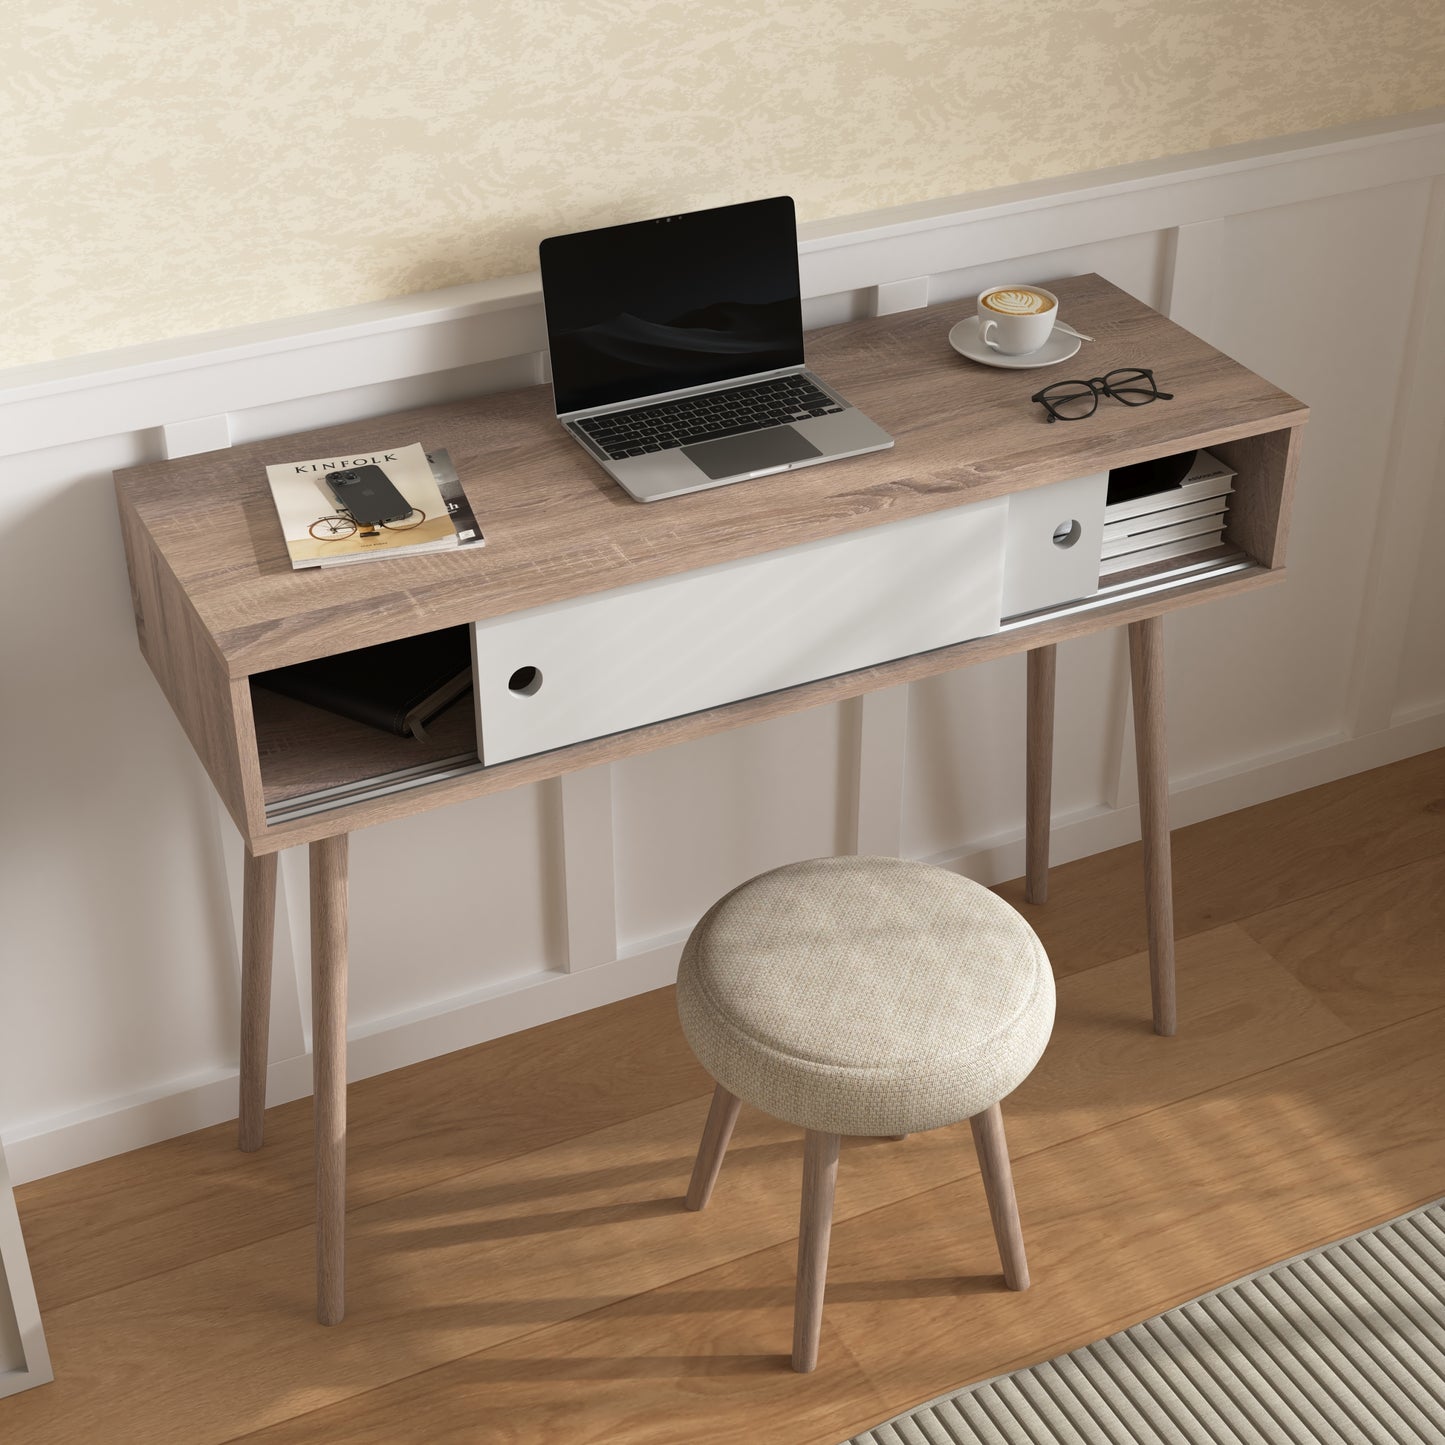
521,1267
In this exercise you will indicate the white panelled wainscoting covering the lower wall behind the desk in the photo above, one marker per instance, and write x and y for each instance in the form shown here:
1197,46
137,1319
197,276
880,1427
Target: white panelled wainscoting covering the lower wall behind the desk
121,875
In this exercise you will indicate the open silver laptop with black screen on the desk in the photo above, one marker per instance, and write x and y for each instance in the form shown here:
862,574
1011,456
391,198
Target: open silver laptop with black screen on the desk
678,352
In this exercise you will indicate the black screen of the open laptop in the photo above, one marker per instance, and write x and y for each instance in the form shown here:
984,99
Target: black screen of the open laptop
681,301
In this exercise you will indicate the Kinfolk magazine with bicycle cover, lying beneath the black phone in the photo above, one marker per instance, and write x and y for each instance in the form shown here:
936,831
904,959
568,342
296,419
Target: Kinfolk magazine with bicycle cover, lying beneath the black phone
320,532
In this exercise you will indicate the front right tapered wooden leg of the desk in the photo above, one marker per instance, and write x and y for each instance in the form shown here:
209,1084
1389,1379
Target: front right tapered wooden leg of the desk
1147,665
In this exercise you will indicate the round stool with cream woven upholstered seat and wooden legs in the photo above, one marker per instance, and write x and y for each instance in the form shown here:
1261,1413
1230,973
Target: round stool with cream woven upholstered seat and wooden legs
865,996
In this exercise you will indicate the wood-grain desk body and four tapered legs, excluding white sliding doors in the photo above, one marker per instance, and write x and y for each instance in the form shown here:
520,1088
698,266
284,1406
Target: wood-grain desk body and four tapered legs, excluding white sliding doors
216,602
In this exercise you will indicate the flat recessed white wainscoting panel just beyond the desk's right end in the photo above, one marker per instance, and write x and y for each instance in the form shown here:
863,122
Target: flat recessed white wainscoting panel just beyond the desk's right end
1282,309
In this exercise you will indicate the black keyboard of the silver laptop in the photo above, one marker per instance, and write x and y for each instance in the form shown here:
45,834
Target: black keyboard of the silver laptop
707,418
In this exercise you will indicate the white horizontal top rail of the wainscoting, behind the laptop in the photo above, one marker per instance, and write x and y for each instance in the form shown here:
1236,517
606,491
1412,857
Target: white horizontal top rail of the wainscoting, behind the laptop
191,378
